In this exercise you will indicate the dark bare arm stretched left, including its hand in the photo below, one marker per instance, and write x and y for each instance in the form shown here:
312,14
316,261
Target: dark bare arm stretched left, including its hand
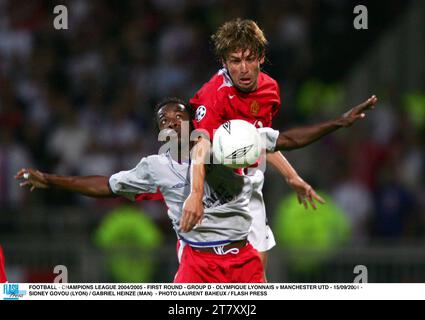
92,186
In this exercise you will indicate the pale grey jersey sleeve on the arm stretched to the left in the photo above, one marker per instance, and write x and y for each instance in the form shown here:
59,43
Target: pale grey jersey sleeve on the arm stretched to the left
134,182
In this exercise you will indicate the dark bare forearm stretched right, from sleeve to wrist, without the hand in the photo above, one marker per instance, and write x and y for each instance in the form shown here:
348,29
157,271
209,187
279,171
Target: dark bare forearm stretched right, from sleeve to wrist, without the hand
299,137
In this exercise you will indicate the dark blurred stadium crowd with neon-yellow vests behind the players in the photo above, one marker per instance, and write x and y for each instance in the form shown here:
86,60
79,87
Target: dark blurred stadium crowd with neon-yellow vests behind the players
80,101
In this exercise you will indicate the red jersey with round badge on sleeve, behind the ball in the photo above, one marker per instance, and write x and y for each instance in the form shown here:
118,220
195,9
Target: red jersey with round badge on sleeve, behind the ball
219,101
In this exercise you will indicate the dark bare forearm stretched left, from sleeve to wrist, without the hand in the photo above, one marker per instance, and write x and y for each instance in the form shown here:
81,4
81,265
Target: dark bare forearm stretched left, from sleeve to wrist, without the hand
92,186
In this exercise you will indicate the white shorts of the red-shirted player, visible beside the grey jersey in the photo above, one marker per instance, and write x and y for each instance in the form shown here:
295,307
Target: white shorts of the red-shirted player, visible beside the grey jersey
260,235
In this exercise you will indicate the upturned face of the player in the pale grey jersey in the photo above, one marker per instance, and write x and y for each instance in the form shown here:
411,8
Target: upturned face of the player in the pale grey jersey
171,116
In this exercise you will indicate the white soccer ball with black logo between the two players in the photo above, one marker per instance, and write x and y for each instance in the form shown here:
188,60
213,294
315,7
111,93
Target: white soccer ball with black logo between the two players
236,144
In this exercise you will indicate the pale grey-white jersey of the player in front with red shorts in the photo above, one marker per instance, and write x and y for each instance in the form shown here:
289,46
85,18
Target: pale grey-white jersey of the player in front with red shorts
226,199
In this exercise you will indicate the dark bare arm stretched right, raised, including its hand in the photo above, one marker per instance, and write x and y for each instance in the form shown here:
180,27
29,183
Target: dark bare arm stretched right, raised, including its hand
299,137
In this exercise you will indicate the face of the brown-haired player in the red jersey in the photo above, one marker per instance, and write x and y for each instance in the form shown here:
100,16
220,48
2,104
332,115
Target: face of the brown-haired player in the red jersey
244,68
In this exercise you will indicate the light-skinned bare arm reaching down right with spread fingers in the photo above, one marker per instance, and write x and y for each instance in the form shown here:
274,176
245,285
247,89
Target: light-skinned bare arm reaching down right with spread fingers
304,191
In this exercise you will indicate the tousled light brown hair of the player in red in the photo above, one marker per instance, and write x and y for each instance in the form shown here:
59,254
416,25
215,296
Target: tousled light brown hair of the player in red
237,35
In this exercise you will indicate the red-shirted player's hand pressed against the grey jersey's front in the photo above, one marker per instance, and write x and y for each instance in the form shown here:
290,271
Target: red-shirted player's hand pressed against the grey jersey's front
193,211
